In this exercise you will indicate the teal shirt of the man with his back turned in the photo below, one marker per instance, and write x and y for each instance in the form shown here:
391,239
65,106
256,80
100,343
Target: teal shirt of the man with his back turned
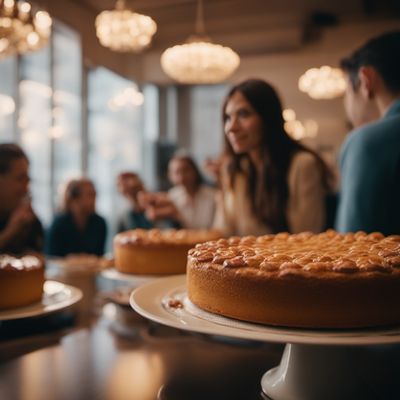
370,177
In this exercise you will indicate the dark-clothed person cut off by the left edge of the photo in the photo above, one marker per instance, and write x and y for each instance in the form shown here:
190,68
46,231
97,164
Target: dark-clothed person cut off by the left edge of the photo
20,229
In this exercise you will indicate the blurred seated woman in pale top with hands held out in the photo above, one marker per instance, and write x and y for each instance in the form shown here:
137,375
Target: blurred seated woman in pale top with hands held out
190,202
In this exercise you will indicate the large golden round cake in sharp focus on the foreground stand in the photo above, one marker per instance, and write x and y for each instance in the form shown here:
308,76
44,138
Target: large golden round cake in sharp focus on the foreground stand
326,280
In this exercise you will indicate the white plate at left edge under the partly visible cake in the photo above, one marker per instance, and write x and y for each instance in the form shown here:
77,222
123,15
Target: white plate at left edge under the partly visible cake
56,296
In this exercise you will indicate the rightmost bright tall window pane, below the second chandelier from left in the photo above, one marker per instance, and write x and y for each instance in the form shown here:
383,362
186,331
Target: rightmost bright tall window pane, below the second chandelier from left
115,139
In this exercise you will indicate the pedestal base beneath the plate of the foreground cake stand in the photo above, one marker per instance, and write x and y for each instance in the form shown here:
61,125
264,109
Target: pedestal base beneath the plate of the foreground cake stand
315,372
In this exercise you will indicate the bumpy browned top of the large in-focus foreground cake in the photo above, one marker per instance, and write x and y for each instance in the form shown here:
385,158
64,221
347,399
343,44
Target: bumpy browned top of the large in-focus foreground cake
304,252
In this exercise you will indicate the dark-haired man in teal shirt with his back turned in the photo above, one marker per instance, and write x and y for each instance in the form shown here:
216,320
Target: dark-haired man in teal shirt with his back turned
370,156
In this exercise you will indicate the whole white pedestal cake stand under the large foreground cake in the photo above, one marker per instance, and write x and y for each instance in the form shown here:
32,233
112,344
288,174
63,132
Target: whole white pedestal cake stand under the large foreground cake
316,364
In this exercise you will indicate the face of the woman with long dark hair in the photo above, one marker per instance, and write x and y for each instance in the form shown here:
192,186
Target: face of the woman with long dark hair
243,127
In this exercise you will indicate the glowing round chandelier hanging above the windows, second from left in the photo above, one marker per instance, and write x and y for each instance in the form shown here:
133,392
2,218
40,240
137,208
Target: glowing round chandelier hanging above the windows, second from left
123,30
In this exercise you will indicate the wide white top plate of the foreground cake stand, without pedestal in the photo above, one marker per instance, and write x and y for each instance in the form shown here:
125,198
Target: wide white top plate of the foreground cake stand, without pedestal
152,301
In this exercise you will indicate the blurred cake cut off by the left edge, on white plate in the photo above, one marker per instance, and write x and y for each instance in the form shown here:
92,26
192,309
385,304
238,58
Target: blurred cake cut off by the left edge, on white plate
21,281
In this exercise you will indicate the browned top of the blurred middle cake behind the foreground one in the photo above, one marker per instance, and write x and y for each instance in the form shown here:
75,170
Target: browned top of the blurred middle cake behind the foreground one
167,236
